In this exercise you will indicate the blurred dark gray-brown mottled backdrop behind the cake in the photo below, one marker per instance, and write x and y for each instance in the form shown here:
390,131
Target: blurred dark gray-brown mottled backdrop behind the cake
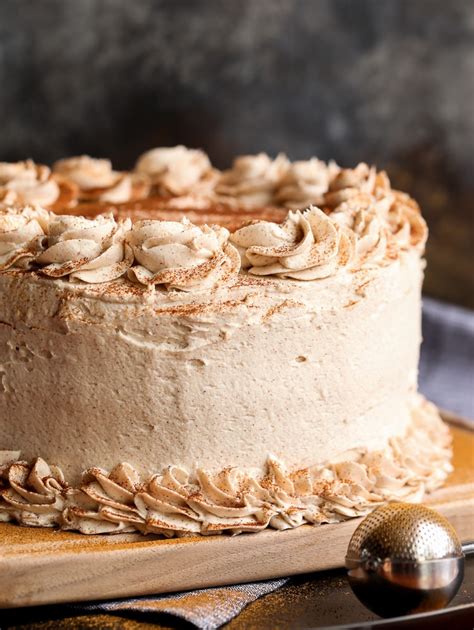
385,81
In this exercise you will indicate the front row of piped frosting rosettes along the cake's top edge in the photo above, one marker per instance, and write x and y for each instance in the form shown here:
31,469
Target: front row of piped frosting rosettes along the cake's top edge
364,230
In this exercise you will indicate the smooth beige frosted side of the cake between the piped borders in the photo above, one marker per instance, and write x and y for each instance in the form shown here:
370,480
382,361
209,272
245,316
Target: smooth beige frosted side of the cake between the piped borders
190,375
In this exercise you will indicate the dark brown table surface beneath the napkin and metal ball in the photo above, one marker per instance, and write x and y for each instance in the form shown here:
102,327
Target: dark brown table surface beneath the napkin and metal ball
308,601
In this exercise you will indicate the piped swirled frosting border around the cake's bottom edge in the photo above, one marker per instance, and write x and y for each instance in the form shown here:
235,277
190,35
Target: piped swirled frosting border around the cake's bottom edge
176,502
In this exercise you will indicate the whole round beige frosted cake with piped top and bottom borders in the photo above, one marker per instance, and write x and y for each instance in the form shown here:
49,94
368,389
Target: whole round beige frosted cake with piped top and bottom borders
189,352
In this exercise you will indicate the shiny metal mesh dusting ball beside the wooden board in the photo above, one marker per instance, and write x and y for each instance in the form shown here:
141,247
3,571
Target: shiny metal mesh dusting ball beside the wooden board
404,558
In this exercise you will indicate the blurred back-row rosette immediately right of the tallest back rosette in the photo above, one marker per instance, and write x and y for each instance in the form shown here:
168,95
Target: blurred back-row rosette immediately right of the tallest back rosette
252,180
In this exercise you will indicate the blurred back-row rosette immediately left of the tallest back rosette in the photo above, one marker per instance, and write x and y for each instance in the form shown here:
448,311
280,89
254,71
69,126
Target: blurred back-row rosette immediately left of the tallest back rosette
97,181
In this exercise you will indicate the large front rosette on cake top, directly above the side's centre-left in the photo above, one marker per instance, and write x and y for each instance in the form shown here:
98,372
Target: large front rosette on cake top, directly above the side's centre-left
181,255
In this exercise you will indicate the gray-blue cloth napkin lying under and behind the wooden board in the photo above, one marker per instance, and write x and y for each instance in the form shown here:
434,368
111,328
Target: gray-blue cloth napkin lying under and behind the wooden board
446,377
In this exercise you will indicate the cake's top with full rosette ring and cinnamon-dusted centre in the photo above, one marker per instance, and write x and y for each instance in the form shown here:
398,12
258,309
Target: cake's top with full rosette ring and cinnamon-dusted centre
304,220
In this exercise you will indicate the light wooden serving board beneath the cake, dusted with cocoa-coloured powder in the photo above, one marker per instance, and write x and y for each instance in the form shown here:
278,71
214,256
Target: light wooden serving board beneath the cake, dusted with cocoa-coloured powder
43,566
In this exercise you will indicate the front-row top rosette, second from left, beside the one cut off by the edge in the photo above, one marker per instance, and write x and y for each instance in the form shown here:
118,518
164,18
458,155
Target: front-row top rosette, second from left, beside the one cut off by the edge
91,250
